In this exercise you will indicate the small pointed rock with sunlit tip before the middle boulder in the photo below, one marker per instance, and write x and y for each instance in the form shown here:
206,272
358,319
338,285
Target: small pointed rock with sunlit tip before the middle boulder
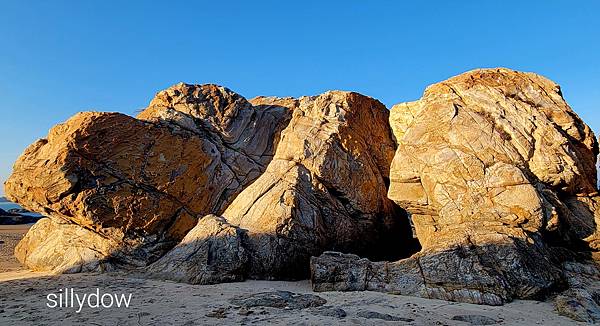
211,252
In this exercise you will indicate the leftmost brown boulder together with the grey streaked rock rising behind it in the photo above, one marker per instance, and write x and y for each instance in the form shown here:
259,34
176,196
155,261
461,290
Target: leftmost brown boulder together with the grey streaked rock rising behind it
142,183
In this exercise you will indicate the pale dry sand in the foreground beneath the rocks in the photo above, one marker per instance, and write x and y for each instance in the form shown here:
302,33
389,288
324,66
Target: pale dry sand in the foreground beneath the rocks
23,302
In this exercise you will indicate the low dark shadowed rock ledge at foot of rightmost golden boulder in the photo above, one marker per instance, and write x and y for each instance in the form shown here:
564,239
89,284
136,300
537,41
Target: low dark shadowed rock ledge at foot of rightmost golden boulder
491,274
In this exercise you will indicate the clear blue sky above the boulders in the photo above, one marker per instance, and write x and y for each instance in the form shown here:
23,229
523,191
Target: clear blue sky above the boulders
58,58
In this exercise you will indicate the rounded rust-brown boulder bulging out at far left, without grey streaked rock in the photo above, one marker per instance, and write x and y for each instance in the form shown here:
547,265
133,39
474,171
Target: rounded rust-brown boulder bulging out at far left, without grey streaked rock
111,176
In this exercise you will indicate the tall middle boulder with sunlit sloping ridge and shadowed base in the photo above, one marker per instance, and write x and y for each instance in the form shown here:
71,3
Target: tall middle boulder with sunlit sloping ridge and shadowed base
325,189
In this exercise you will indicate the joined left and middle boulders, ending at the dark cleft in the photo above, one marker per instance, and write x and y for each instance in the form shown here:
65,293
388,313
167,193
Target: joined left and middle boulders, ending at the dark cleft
290,177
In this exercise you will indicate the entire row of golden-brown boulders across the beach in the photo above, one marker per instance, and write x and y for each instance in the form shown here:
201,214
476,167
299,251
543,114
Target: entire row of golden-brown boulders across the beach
497,173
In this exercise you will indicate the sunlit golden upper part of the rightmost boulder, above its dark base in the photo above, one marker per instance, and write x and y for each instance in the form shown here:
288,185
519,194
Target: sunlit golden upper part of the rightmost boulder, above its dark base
492,151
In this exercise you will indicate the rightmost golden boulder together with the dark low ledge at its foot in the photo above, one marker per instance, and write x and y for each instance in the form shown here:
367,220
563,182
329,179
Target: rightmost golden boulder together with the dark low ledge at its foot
494,168
